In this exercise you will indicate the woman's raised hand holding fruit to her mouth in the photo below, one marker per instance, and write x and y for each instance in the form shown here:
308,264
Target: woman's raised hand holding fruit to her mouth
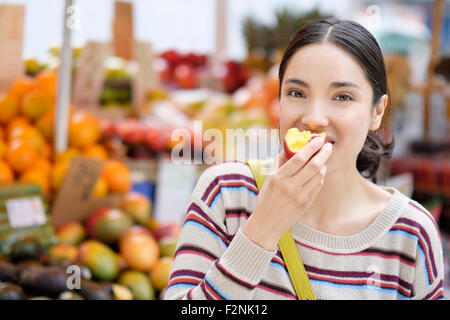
289,190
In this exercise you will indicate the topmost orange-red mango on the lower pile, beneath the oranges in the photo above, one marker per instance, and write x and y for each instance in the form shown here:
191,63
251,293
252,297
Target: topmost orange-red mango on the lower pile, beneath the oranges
137,206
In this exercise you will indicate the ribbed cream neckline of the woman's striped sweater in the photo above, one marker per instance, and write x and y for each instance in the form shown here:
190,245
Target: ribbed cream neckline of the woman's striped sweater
358,241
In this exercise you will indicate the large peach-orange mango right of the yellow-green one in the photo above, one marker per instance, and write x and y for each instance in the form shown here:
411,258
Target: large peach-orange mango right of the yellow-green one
140,250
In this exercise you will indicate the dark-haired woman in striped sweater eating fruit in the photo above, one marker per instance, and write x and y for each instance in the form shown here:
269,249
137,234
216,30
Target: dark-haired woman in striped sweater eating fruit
357,240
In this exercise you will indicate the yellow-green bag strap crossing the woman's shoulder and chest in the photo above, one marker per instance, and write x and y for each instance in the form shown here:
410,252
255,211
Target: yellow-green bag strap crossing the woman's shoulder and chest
288,248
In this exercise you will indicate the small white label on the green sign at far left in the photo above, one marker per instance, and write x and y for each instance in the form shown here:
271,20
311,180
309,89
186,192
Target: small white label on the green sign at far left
25,212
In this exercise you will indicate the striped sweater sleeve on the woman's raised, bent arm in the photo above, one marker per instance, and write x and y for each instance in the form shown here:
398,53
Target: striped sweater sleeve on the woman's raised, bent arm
209,262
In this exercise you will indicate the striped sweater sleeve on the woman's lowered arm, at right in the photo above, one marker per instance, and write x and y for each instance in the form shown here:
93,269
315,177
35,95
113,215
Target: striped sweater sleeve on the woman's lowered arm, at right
429,267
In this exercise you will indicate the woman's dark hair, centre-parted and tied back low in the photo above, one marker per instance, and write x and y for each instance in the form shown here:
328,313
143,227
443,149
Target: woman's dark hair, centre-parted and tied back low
362,46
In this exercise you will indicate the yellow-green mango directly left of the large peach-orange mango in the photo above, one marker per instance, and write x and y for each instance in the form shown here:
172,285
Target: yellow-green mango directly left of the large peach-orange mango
100,259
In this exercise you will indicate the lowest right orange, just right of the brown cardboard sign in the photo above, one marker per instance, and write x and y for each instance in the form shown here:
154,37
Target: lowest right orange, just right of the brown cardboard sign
117,176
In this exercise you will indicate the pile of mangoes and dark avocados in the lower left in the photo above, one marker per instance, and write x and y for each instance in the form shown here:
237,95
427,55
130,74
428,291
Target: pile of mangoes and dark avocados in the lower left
117,254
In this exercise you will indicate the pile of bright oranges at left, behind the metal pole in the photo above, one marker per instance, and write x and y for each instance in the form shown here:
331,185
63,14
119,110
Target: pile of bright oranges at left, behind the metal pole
27,114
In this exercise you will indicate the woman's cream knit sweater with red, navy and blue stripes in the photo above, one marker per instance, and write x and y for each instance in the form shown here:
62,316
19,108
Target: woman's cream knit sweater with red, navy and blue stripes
398,256
